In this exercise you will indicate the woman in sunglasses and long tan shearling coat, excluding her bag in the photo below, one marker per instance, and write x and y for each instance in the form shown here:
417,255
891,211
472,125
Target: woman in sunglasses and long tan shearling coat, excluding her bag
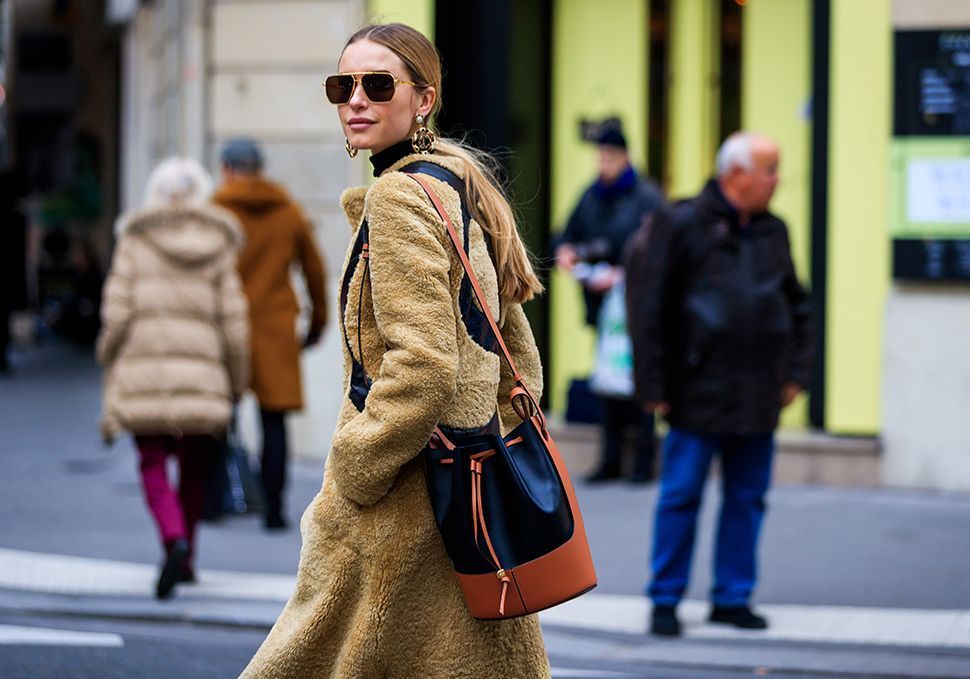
376,595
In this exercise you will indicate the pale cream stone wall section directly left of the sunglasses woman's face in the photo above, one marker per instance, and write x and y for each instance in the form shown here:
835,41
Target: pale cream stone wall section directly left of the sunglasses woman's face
266,63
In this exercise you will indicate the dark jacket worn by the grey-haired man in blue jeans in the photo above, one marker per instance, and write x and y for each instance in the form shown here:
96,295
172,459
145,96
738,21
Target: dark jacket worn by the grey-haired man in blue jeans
718,319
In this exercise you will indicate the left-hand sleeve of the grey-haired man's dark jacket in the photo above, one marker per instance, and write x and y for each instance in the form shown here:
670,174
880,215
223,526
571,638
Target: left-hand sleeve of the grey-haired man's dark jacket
654,268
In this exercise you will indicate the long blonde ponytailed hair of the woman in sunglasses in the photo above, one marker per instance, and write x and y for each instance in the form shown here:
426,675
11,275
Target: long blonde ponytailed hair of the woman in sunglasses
487,201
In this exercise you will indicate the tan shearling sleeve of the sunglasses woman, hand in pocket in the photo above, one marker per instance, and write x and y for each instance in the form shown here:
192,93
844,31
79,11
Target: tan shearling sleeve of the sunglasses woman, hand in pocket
415,317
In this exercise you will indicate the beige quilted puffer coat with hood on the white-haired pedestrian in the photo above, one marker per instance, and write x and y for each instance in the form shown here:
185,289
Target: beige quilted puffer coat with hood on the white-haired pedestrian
175,335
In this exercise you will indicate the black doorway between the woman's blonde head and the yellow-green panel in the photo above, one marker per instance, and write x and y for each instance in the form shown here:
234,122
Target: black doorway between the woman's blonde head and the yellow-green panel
497,92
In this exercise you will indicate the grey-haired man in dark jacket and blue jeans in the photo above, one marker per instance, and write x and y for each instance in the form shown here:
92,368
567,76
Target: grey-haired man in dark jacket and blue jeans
722,342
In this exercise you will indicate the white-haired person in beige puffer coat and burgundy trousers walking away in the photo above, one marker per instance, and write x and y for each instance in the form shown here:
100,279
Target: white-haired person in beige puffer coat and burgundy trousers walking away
174,346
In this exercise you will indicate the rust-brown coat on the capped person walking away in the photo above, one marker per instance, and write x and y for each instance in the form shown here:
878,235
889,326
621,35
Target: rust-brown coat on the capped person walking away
278,236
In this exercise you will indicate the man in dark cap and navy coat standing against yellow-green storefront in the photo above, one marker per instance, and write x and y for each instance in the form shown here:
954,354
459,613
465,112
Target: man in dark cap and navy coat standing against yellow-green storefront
591,250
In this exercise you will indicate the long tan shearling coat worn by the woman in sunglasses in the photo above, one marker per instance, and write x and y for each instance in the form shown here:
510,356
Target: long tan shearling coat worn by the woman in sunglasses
376,596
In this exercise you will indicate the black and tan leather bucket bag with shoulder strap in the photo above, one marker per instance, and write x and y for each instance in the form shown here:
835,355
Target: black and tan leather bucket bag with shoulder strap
505,506
